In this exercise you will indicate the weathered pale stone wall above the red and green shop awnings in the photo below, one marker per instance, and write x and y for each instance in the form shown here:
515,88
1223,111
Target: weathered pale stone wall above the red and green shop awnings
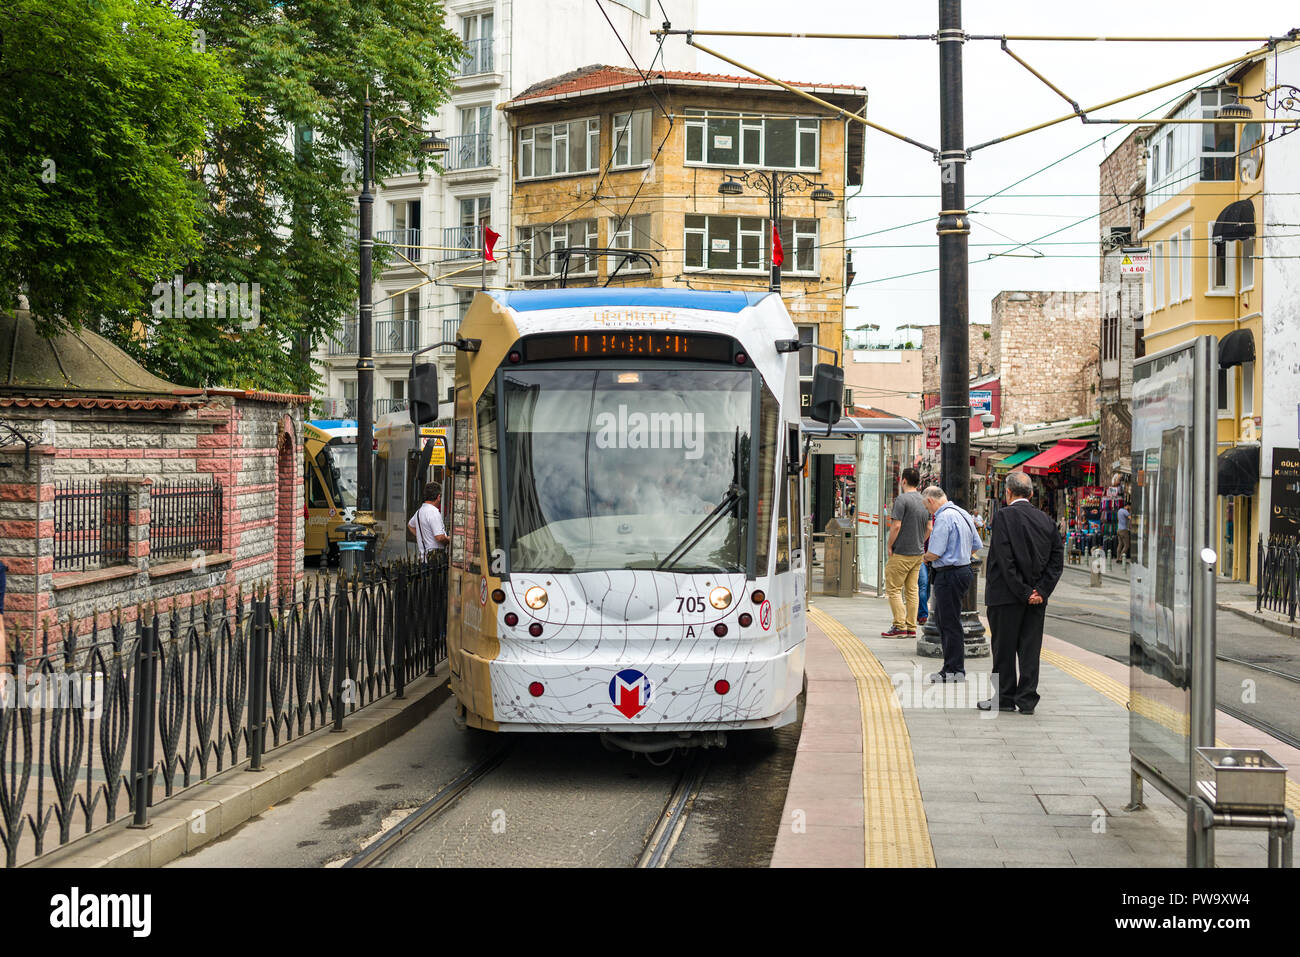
1045,347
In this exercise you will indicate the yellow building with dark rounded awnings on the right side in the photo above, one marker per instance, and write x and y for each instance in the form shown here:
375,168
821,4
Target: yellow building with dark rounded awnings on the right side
1204,198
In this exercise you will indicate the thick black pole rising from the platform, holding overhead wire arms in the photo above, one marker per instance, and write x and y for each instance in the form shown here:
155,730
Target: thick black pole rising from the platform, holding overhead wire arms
954,231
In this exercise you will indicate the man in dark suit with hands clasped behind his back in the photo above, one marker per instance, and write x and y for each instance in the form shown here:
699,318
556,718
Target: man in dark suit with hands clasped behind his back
1025,564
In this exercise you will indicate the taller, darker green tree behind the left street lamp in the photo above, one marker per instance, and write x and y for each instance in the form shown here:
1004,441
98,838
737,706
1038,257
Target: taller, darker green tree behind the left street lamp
281,185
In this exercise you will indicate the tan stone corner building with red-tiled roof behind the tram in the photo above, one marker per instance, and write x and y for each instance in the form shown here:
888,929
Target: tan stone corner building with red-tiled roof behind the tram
605,162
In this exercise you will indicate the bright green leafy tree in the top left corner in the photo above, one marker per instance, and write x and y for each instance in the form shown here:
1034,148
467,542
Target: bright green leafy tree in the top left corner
105,107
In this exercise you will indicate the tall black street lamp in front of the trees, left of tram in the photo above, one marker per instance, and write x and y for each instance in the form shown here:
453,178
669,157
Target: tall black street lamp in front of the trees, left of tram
432,145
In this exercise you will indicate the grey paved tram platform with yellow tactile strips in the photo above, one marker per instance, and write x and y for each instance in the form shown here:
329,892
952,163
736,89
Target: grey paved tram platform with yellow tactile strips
892,772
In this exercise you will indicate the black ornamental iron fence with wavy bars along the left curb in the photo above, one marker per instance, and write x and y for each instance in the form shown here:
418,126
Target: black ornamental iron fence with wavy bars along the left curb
119,720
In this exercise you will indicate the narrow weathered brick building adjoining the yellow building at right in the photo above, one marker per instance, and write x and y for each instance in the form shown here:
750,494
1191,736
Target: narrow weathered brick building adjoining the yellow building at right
1123,187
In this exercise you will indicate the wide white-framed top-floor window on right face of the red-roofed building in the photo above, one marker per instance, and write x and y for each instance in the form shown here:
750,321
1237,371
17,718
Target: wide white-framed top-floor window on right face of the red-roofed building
731,140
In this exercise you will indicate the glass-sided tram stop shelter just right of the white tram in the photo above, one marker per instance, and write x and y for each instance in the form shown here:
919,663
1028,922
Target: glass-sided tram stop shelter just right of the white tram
855,473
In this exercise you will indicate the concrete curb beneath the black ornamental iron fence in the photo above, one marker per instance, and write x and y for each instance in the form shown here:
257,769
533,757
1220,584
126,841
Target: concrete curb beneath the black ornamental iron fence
232,798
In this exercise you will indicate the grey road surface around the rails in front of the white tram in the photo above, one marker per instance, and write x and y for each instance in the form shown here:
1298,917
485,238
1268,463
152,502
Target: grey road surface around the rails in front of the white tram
554,802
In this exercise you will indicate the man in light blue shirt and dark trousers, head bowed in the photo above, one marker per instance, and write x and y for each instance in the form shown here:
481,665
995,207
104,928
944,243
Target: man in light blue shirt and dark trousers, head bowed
952,545
